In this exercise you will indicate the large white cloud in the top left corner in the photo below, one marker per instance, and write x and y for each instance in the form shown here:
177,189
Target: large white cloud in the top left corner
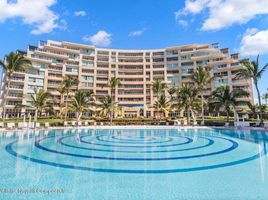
37,13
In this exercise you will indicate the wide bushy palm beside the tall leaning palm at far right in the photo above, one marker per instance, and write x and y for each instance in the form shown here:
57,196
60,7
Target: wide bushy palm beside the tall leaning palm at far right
224,99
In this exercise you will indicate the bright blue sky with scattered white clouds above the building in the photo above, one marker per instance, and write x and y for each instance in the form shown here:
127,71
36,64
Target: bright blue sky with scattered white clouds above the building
141,24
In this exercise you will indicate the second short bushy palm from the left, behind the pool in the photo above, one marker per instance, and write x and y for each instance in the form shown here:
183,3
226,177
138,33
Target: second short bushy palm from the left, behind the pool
81,102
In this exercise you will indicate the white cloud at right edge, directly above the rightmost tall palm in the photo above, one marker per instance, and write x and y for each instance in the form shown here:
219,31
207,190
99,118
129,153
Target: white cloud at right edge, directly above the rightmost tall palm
254,42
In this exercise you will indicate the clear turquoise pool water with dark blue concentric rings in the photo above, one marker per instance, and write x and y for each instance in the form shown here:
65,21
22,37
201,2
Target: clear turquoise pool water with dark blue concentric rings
135,164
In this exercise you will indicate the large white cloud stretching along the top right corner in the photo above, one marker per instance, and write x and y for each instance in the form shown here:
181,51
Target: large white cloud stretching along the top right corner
224,13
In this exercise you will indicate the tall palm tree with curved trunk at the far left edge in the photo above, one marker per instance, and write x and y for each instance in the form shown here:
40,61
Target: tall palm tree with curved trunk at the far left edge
13,62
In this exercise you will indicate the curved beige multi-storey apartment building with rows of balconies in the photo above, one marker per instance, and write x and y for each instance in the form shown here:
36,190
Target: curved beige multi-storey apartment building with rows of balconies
137,69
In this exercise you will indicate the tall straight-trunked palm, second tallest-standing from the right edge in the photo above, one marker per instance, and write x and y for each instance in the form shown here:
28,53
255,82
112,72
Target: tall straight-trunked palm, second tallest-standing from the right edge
201,76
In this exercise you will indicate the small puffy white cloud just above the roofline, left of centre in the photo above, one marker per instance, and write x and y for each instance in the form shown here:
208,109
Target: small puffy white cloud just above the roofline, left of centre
101,38
